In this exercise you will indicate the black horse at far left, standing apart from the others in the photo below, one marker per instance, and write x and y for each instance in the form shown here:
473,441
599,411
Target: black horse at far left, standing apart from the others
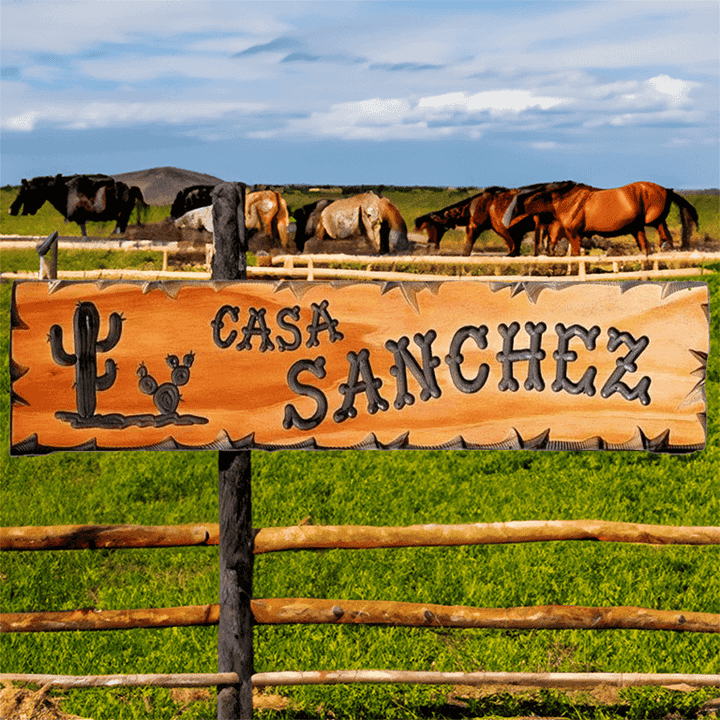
81,198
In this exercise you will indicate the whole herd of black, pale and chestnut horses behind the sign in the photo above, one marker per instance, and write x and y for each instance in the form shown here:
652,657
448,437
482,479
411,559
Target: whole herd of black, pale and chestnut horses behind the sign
552,211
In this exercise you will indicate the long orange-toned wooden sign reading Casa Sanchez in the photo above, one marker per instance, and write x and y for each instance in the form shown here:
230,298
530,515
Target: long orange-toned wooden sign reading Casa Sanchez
183,366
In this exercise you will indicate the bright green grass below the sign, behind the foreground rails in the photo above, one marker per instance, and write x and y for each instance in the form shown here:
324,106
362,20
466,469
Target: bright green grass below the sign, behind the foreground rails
373,488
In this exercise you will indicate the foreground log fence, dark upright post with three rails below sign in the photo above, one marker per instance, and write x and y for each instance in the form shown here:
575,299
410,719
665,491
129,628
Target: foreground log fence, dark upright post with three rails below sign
238,611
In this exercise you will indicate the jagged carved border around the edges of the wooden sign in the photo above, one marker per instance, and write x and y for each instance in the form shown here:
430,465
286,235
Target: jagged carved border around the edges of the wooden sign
409,289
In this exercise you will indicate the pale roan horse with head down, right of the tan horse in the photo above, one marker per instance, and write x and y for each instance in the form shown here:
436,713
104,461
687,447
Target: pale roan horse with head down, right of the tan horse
366,215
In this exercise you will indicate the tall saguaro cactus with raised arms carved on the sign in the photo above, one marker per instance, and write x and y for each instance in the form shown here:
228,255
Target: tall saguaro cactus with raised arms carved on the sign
86,327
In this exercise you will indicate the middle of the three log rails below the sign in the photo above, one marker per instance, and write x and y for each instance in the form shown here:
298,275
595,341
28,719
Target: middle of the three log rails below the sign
307,611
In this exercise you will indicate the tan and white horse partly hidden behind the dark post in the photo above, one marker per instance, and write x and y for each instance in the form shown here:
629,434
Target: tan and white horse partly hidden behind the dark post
266,214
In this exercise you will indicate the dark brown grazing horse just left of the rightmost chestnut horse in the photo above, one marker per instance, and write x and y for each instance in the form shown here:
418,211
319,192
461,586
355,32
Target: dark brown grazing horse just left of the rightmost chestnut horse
485,211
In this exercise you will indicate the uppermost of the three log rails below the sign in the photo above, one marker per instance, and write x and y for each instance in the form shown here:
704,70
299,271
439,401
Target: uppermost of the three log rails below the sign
324,537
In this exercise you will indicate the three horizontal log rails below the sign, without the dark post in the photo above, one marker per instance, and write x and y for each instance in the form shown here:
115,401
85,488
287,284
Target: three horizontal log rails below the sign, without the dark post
273,611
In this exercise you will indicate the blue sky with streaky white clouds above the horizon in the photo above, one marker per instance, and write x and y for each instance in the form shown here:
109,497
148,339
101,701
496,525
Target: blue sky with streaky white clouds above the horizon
411,93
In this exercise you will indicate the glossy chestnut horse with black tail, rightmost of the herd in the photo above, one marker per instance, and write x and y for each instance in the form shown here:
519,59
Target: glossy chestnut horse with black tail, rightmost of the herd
583,210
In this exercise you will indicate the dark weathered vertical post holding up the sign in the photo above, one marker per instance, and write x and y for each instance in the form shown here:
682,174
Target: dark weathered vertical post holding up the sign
235,639
